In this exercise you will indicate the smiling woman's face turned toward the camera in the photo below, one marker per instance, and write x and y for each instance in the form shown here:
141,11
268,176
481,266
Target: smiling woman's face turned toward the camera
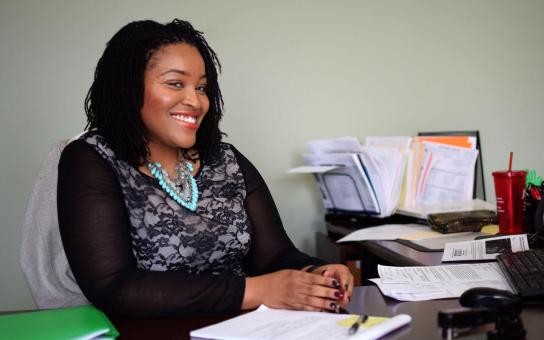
175,98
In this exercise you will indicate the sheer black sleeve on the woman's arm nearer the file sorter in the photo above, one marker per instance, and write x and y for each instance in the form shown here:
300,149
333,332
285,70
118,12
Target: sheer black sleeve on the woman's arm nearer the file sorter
271,248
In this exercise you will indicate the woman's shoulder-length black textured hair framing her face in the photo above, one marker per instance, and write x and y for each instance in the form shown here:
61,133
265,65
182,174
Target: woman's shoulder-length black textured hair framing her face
115,98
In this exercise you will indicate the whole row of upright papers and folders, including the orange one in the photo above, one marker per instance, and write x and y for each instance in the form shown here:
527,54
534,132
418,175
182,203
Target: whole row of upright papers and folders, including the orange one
386,173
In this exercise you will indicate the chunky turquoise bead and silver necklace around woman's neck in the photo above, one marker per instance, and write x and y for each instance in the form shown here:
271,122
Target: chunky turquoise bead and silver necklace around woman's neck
182,188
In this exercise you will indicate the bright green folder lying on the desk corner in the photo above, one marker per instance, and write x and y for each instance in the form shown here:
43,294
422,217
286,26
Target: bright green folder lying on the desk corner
83,322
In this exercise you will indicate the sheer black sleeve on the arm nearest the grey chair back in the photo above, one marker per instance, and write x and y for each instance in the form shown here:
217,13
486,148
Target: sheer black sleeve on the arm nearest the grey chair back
94,227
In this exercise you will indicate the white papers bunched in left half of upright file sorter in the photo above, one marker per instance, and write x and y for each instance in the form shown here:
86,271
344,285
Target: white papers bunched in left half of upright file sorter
357,178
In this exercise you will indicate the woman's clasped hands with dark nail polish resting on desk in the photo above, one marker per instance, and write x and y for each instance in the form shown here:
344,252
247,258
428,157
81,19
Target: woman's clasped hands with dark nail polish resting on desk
326,288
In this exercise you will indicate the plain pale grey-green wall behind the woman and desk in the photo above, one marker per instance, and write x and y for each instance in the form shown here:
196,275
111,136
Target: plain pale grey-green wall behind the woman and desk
293,71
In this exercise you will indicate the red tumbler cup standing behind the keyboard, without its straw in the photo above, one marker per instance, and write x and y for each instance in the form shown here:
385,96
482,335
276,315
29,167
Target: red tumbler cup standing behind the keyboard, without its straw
509,187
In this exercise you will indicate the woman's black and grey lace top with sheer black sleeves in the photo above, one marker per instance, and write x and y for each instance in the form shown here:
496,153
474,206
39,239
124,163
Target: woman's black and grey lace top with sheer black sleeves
136,252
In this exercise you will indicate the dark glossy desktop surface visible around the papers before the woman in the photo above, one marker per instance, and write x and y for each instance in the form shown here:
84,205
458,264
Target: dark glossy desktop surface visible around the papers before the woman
365,300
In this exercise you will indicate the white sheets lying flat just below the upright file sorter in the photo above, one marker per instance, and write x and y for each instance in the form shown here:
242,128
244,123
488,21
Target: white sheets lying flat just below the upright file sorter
388,232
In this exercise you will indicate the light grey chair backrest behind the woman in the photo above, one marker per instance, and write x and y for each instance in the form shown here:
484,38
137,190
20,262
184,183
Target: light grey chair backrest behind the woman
42,256
